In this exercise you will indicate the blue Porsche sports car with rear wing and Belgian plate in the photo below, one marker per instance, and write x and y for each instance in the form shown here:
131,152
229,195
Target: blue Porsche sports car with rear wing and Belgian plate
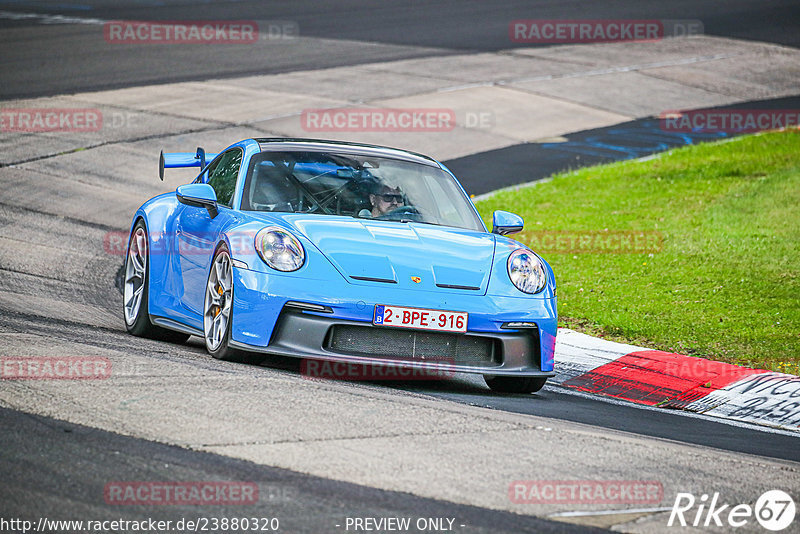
341,252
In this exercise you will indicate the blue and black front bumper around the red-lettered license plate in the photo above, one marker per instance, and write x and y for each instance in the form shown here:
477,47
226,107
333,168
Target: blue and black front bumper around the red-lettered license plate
344,332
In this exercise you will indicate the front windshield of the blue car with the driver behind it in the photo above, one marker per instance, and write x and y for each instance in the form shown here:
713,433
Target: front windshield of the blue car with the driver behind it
356,186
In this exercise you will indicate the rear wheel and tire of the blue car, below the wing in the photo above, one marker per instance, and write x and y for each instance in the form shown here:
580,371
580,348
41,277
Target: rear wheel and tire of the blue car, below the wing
135,289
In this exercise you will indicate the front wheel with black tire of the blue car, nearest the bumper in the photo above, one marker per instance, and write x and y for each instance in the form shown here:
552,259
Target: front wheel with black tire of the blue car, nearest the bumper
218,311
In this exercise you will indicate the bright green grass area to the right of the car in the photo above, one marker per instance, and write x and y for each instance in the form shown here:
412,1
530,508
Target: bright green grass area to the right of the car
723,284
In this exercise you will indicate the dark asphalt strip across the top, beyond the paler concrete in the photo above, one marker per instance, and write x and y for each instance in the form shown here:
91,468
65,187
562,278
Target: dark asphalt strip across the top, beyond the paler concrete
64,59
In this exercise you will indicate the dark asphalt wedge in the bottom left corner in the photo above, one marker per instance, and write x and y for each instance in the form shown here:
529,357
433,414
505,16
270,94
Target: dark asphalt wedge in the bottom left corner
49,482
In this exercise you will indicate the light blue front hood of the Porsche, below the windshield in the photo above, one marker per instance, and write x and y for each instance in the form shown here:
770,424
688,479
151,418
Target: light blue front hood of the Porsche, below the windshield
410,255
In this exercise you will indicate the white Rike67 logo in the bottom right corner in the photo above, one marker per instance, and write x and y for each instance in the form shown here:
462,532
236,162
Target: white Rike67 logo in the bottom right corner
774,510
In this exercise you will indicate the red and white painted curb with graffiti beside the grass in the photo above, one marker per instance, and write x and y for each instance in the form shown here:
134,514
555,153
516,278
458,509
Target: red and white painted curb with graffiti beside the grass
675,381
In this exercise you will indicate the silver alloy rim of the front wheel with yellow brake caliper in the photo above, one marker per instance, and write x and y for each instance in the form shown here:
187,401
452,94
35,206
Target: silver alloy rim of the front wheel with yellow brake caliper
219,297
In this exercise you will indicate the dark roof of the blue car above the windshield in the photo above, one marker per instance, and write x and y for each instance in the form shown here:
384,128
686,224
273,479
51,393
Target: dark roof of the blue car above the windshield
342,147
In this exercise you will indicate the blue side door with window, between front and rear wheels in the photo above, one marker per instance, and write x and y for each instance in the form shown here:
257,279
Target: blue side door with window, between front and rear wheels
198,234
